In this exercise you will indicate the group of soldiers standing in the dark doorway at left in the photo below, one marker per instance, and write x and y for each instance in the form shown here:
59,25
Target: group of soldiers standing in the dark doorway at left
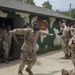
5,41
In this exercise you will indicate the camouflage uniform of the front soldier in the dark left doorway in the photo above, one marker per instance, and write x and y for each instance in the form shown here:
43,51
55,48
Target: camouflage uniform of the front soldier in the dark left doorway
6,43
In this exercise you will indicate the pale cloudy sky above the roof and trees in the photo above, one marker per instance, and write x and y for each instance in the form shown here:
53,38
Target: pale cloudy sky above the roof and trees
62,5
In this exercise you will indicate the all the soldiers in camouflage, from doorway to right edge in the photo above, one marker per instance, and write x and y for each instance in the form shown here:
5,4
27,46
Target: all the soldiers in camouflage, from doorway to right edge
28,49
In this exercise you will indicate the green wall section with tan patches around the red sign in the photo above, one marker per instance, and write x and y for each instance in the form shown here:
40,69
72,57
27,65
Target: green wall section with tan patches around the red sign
53,26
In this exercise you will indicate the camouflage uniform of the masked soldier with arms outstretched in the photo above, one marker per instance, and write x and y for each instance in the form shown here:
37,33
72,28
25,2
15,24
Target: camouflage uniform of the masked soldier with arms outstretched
29,47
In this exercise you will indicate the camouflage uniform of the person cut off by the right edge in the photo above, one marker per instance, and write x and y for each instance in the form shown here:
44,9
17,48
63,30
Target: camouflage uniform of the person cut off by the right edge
72,45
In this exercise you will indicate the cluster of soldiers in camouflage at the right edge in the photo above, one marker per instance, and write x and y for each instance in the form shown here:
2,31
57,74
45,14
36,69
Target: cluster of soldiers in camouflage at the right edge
68,45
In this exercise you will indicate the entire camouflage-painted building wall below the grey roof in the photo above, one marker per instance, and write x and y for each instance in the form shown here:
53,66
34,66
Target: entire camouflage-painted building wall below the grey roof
53,26
